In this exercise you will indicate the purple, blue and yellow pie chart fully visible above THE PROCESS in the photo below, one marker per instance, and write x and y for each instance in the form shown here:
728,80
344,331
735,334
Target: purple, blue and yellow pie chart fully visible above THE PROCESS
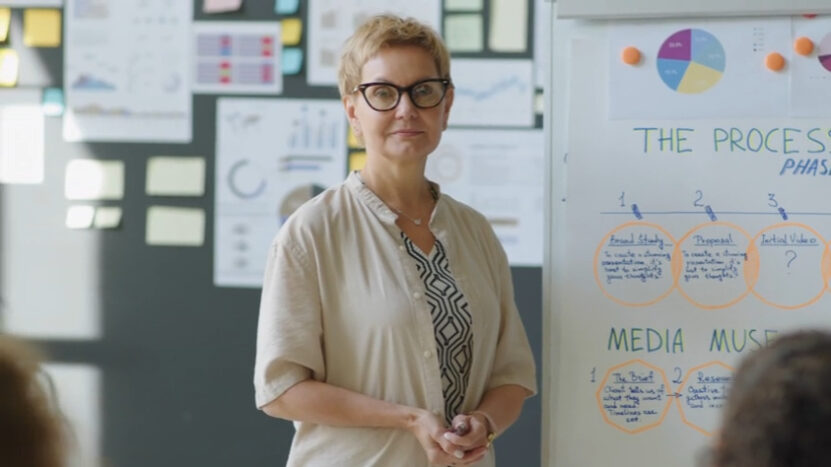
691,61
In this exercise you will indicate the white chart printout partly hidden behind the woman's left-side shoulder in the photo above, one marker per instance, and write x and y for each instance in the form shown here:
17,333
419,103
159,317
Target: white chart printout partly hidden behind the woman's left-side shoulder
272,155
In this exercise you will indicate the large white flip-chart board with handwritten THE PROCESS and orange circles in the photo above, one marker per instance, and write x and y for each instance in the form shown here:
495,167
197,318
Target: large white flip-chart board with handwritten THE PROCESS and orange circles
672,252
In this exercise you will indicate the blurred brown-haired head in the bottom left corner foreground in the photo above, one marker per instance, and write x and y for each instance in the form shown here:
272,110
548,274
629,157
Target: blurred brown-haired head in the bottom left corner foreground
31,432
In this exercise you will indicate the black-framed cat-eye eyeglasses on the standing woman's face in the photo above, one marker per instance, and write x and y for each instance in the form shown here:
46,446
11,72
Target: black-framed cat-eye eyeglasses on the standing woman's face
424,94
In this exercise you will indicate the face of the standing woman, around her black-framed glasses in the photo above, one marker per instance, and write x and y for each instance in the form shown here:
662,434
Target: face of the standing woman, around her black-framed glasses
406,133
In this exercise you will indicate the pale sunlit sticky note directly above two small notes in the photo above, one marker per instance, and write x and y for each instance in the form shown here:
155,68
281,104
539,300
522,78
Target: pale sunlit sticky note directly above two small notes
94,179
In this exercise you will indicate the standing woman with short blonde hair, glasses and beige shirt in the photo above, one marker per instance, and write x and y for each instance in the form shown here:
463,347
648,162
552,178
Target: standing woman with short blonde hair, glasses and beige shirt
387,327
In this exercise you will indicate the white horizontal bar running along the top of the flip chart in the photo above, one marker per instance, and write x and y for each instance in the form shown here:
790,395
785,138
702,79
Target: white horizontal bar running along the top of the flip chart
679,8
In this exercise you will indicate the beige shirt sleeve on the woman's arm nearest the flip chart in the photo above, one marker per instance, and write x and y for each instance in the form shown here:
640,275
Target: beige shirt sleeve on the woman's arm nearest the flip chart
513,360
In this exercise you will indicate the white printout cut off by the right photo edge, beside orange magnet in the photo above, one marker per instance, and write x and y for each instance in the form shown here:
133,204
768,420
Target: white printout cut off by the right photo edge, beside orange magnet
811,75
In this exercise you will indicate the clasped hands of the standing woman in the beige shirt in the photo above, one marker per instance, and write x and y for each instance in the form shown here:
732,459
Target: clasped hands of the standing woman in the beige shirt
465,442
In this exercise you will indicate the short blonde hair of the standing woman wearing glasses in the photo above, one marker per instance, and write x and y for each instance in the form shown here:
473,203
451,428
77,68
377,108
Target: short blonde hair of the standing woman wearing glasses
383,31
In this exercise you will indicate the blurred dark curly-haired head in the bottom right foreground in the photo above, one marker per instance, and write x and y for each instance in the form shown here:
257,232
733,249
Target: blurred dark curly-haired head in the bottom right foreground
778,411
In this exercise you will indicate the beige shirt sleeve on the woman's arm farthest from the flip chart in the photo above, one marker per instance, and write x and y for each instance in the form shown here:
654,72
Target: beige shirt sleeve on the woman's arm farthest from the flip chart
289,331
